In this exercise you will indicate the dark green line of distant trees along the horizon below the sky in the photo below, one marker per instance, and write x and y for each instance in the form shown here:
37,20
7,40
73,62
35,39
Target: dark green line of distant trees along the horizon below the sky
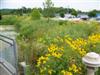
48,11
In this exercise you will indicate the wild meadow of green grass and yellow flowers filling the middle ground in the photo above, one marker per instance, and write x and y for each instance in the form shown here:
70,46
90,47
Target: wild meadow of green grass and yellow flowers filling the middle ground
55,47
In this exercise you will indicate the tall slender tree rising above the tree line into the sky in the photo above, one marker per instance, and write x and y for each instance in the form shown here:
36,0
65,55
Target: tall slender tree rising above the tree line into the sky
48,8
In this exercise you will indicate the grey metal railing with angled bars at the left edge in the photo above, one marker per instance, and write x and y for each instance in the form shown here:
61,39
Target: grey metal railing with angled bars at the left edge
8,57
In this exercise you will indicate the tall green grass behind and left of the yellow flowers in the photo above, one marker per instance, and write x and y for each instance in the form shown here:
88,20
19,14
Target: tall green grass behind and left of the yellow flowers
31,32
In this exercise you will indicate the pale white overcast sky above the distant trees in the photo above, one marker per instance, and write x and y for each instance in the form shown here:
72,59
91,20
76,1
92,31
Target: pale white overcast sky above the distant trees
83,5
